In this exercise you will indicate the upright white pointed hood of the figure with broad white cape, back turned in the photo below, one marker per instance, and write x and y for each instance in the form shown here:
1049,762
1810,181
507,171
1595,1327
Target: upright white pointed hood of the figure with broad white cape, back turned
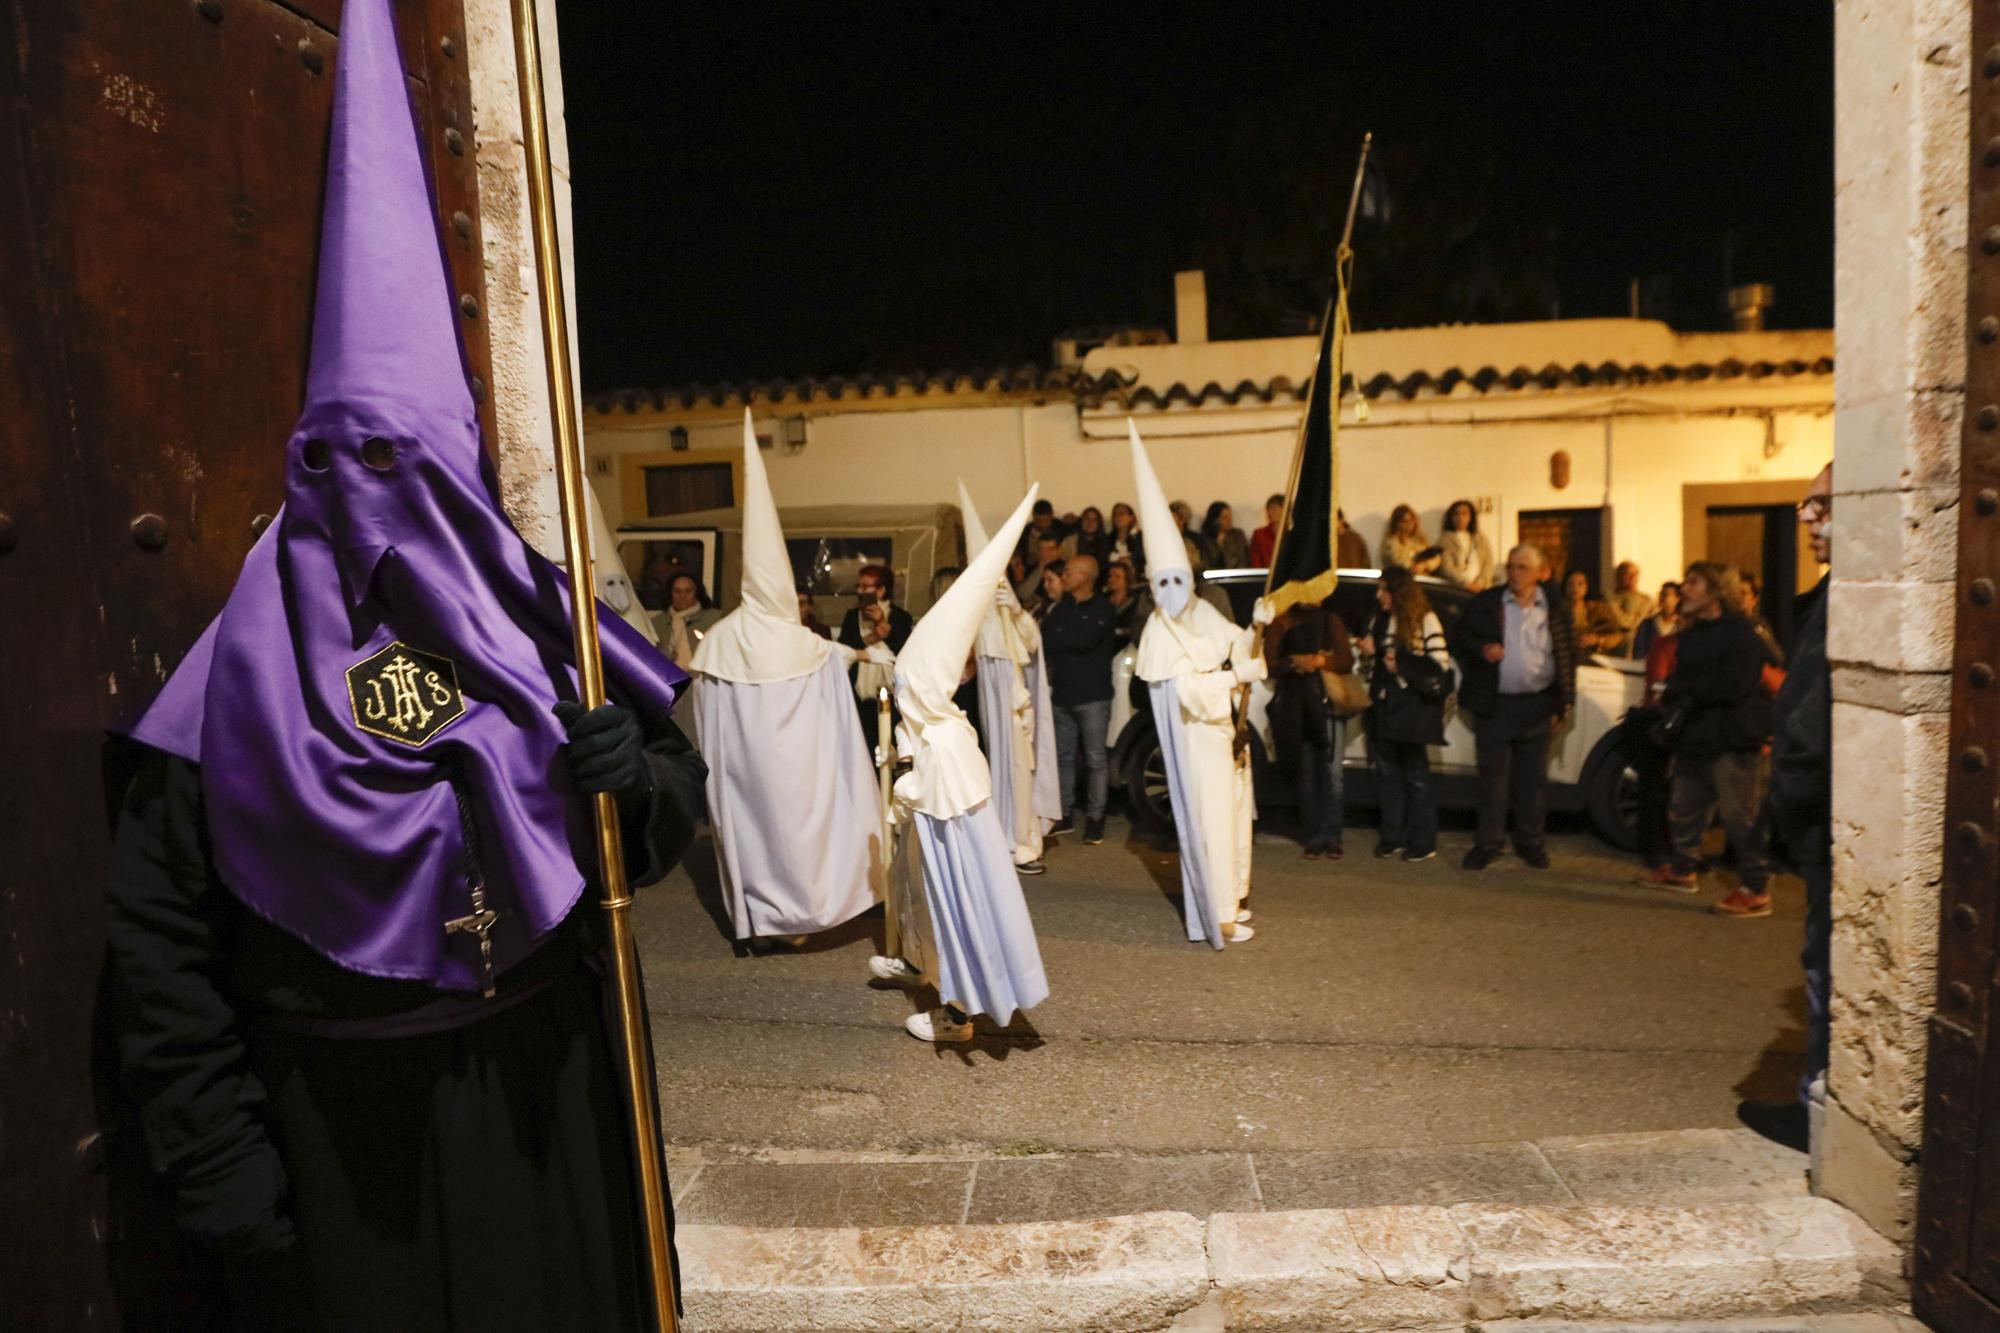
763,639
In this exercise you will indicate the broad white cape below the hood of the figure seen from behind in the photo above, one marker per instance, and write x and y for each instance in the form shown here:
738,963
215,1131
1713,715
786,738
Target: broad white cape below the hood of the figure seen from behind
795,802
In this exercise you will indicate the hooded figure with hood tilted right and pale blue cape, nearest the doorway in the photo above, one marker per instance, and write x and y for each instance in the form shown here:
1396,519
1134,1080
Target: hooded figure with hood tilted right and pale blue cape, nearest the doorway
969,930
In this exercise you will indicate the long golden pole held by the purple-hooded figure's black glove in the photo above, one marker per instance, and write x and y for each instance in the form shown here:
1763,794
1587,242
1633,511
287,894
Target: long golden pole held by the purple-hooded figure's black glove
627,994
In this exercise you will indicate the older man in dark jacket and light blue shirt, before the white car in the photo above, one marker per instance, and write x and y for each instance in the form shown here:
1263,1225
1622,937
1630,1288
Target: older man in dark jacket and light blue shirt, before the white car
1517,655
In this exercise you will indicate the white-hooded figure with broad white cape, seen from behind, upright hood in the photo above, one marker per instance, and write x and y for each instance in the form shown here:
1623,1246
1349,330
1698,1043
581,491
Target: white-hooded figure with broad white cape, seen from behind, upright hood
791,786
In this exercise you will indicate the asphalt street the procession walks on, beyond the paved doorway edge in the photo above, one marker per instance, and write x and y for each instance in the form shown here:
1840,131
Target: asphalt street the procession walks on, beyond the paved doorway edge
1379,1006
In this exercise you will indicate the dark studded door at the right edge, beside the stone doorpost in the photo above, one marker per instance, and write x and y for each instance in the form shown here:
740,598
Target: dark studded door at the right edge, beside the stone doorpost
1957,1274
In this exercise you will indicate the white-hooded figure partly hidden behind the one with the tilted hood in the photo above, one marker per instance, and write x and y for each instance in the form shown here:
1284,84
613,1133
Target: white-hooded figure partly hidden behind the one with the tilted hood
1017,718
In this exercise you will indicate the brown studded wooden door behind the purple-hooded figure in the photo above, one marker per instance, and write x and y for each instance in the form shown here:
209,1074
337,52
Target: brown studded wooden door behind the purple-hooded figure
161,195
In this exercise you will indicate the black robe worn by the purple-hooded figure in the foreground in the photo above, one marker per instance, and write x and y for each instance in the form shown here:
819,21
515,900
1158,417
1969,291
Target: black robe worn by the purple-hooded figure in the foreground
369,1154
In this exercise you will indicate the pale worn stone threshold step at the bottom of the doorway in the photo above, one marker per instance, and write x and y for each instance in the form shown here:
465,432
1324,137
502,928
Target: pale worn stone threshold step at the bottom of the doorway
1351,1270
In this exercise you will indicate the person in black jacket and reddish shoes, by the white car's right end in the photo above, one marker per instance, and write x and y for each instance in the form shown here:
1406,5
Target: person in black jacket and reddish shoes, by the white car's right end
1719,722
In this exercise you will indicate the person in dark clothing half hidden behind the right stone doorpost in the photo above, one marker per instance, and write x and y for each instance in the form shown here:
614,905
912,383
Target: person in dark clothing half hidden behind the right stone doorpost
1801,816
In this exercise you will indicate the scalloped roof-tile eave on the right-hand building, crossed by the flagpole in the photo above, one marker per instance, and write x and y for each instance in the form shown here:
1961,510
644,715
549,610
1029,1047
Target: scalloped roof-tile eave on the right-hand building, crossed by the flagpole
1115,389
